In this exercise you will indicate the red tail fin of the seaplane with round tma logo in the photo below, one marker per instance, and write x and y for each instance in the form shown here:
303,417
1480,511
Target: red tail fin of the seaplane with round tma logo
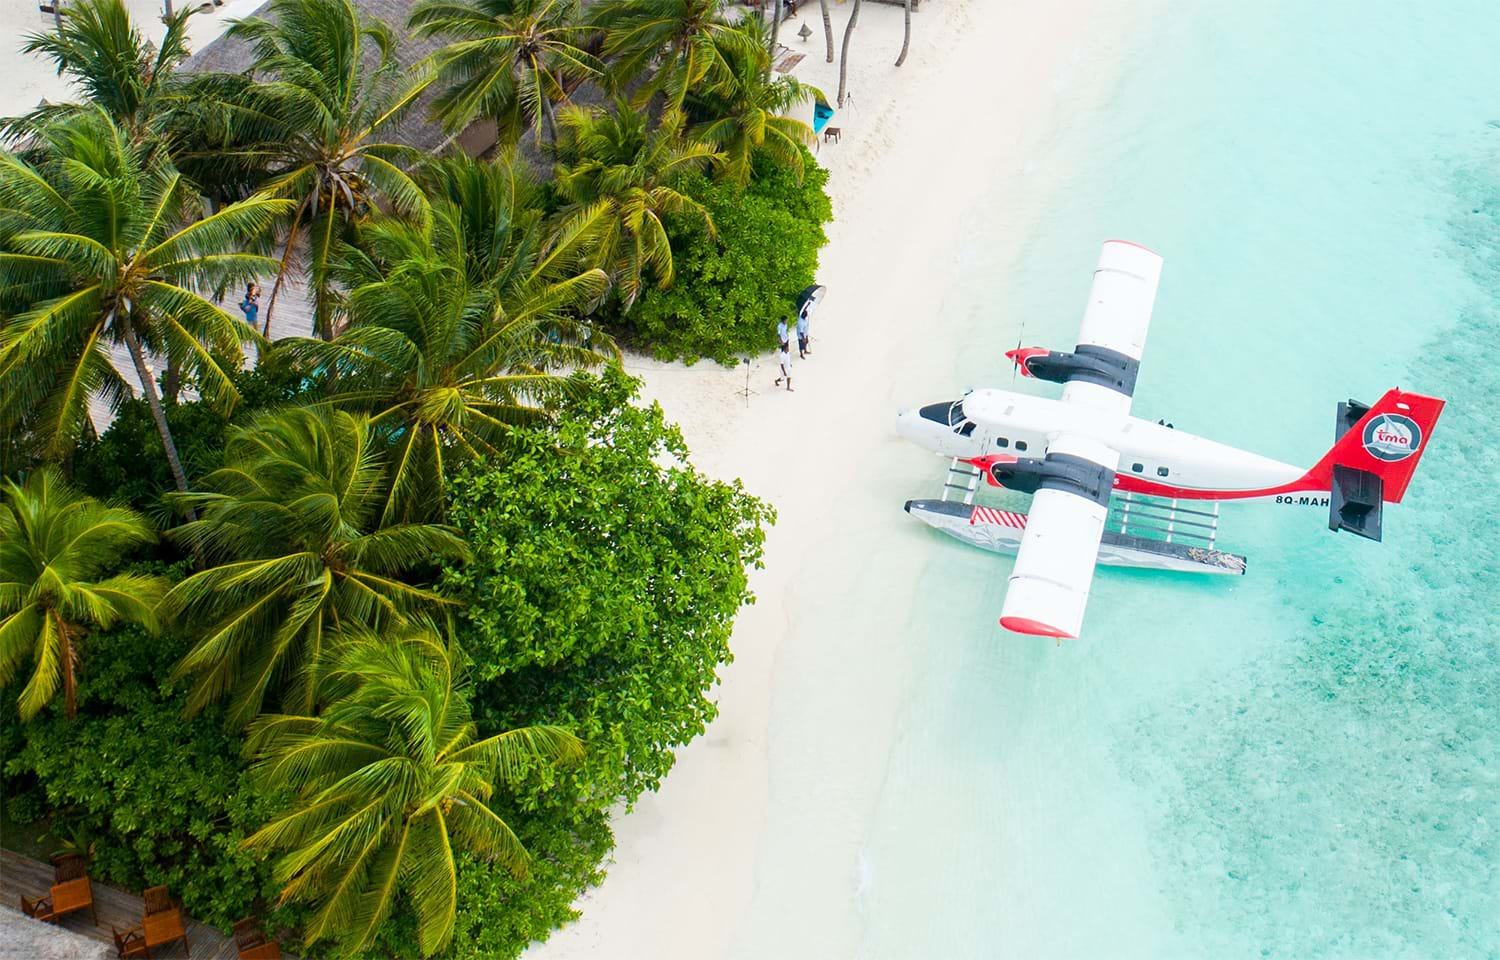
1388,440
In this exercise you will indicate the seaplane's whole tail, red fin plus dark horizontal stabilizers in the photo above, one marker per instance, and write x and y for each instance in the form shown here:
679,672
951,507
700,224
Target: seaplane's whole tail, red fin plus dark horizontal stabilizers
1375,454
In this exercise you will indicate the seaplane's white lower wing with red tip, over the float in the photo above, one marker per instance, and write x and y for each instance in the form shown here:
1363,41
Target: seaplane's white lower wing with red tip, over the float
1049,587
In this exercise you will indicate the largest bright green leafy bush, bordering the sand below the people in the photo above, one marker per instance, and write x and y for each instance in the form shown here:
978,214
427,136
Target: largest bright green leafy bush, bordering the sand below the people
604,587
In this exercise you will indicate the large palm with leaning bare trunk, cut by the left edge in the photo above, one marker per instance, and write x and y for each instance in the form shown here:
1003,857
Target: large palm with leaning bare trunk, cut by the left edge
100,244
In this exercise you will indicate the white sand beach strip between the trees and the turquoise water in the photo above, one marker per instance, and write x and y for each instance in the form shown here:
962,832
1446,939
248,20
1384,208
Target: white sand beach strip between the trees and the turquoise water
698,872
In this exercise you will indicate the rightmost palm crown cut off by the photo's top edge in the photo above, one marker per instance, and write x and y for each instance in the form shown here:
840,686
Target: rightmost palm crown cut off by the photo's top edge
677,41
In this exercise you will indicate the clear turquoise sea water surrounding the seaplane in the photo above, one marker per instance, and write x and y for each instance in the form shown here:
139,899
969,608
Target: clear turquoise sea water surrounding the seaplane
1303,764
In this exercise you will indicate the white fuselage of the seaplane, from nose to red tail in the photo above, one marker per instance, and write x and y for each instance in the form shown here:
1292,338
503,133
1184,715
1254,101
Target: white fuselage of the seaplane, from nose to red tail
1153,458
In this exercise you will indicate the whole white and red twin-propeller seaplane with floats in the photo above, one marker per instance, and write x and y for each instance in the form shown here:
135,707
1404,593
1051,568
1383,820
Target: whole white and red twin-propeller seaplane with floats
1115,490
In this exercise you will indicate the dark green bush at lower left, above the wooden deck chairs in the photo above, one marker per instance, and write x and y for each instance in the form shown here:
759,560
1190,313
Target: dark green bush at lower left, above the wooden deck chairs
163,800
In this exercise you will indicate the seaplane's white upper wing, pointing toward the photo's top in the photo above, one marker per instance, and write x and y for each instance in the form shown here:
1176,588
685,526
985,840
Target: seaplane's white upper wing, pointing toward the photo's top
1115,323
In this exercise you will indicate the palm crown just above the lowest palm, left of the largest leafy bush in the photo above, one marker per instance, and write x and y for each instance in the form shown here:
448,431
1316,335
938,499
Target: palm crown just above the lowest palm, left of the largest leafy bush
293,529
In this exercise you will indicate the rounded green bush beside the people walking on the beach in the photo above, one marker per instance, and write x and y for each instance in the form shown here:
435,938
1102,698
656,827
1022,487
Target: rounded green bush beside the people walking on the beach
731,290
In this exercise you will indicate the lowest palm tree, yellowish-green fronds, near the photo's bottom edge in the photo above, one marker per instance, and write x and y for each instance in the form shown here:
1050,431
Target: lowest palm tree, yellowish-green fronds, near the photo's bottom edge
389,781
